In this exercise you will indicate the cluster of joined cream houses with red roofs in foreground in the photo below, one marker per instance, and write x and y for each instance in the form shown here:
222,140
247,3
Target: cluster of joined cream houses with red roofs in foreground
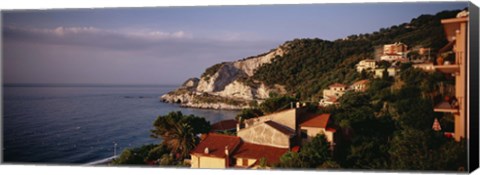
262,142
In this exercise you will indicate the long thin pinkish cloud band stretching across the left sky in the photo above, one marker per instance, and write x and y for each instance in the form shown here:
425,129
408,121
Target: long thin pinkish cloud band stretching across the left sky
174,45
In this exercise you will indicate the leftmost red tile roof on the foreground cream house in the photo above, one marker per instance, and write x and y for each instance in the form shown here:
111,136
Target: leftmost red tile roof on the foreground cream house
216,144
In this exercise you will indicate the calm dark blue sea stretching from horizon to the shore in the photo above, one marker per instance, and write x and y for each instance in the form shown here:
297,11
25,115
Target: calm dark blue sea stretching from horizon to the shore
65,125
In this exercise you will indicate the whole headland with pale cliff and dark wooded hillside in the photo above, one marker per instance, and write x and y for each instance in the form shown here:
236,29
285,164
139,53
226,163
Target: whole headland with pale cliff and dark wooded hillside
301,68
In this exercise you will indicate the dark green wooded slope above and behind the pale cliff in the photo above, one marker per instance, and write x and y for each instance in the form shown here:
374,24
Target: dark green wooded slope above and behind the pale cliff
310,65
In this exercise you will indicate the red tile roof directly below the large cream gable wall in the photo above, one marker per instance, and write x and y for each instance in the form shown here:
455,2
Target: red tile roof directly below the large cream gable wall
255,151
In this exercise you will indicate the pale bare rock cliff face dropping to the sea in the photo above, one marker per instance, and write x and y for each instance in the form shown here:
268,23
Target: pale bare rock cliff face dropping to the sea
227,85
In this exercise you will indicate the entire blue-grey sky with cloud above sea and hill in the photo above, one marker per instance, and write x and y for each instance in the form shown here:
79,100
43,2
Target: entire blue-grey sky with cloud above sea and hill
167,45
